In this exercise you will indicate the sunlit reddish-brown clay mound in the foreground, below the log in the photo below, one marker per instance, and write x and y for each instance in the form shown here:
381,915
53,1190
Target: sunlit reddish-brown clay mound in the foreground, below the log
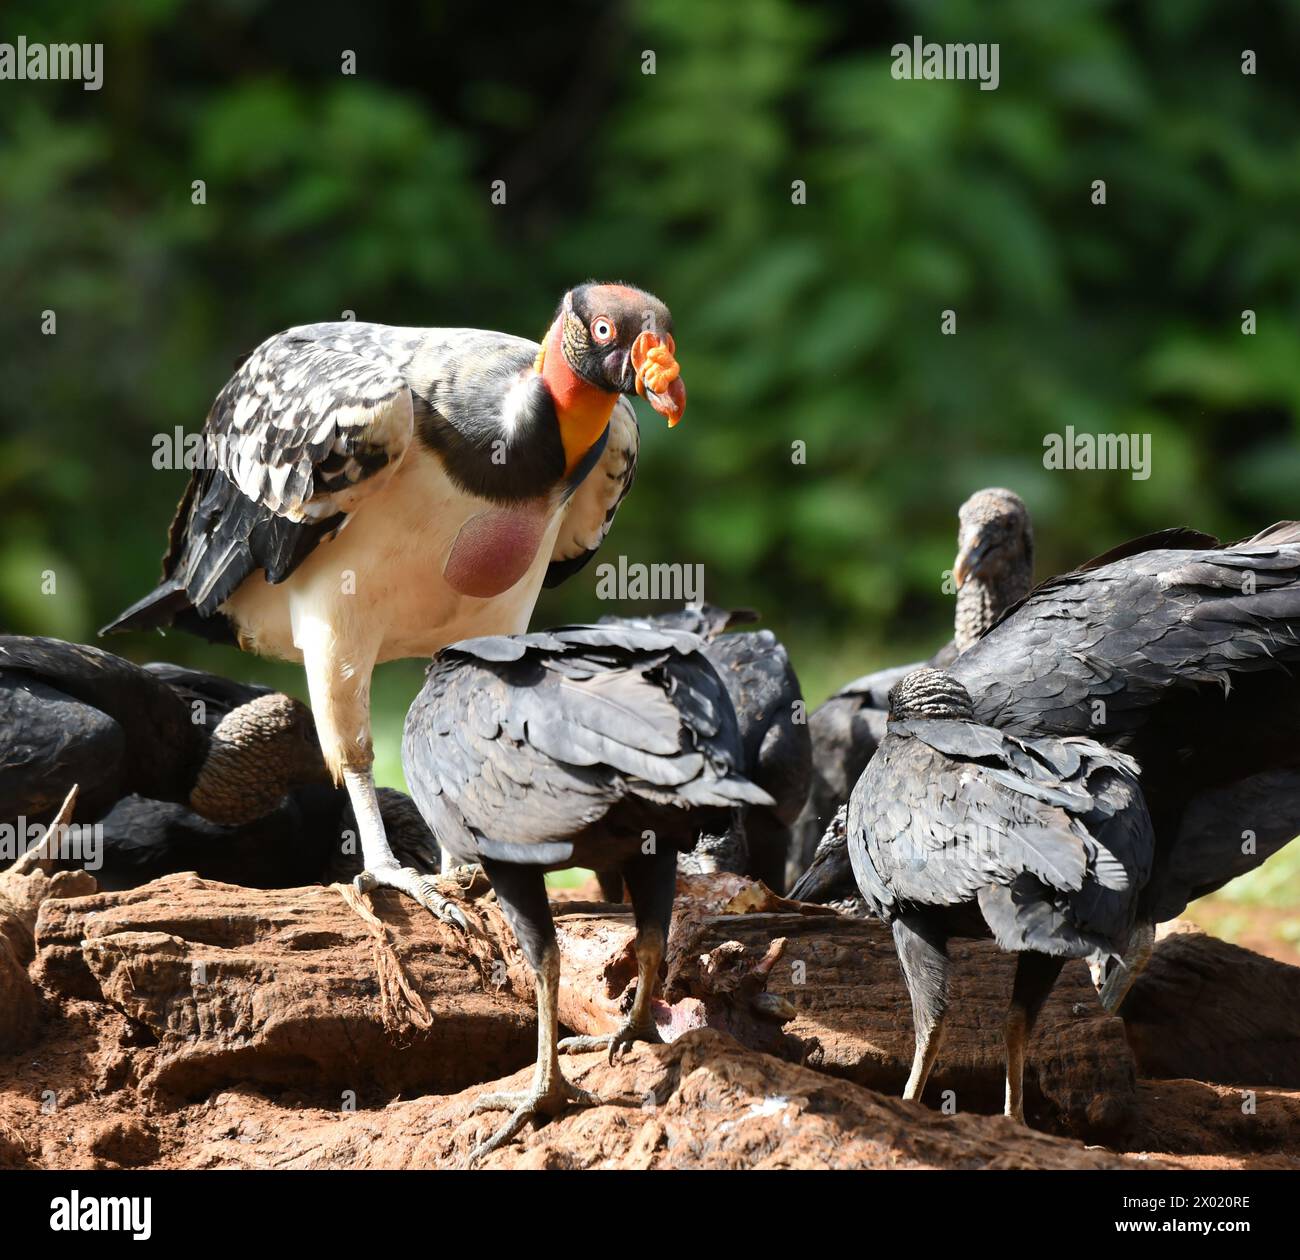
703,1102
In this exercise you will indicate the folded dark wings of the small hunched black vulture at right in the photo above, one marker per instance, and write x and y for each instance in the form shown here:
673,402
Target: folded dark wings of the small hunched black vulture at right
950,813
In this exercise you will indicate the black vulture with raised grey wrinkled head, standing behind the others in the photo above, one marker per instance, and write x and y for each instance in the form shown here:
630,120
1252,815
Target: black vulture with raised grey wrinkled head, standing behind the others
993,570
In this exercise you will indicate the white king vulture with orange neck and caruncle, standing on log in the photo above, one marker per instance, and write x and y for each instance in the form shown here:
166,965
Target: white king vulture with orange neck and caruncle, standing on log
374,493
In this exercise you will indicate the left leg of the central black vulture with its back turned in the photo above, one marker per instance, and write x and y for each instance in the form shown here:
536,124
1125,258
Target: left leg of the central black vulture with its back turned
522,894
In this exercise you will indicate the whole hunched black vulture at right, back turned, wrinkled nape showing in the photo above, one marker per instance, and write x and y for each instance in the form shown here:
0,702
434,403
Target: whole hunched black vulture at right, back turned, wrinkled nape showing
957,829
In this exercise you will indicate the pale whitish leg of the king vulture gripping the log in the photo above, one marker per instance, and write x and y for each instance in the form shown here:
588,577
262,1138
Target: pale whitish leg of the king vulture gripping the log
340,687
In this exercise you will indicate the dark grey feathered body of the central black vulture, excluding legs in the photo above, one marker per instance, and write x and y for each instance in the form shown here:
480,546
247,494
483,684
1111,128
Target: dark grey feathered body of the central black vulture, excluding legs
517,744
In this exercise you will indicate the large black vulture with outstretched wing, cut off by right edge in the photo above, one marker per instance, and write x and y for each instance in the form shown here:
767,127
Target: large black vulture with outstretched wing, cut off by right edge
1182,653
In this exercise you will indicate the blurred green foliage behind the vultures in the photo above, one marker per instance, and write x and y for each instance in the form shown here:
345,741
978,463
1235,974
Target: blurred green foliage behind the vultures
818,323
